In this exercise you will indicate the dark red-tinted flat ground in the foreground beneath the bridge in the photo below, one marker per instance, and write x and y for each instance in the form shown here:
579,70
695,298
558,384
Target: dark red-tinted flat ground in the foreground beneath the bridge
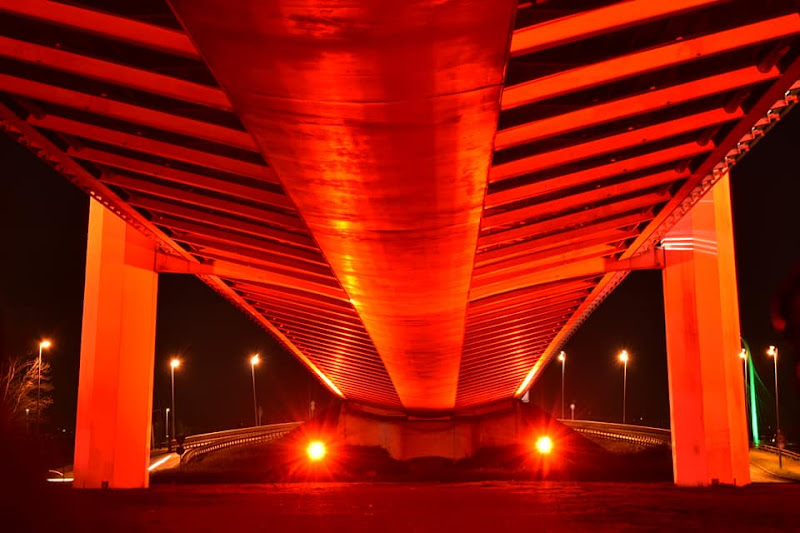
384,507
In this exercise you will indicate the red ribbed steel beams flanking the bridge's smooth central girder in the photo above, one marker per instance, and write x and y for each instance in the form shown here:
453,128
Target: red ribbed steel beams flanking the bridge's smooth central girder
613,121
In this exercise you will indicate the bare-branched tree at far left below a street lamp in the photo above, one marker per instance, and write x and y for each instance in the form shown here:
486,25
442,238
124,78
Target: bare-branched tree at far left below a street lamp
19,384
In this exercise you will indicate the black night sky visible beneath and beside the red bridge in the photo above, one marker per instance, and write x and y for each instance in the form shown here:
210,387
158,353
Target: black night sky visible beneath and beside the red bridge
44,230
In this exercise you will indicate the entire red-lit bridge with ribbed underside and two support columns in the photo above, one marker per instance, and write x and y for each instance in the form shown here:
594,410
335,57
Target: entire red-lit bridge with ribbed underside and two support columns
421,200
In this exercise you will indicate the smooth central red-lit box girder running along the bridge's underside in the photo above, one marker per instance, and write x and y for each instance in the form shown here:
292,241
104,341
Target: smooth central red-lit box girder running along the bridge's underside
387,160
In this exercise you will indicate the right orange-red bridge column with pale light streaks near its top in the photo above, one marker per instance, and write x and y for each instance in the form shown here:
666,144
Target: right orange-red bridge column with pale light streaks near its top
706,388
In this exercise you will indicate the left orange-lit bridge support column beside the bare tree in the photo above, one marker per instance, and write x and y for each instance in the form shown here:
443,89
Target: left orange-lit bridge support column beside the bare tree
115,392
